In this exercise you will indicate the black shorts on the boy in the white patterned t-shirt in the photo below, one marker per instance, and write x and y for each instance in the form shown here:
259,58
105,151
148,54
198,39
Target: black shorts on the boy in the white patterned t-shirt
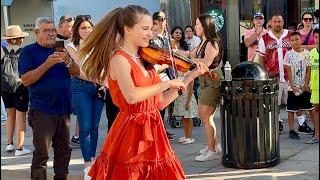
301,102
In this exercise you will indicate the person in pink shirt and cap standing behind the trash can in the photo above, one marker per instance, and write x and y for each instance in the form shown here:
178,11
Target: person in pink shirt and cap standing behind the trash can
252,36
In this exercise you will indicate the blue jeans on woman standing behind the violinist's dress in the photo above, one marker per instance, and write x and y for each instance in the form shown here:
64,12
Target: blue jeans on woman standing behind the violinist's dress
87,106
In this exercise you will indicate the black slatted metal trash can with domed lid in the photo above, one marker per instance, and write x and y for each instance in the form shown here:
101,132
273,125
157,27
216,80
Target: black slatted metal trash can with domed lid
249,118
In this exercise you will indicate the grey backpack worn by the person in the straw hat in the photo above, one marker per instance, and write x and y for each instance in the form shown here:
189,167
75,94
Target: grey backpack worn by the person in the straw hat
10,80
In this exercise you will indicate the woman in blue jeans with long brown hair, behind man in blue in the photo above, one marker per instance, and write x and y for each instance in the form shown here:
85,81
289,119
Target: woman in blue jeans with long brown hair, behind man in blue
86,103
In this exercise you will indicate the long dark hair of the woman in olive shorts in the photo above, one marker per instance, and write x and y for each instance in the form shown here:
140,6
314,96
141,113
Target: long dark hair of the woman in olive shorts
209,29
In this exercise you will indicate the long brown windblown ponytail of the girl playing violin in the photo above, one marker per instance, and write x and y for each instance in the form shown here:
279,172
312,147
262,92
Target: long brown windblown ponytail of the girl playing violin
101,42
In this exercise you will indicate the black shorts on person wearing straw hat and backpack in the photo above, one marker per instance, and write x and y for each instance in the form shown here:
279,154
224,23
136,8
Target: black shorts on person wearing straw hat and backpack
18,100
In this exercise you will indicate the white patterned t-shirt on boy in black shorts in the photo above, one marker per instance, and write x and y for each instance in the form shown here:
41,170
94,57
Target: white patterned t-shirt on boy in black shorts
298,62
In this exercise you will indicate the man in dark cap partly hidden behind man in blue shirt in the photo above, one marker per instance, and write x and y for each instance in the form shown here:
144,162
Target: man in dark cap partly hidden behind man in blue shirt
65,28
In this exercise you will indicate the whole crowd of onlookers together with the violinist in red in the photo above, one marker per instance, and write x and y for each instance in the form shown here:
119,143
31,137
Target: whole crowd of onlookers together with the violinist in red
101,65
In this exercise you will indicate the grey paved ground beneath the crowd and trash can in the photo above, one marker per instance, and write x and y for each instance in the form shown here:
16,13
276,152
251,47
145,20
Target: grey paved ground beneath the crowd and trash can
298,160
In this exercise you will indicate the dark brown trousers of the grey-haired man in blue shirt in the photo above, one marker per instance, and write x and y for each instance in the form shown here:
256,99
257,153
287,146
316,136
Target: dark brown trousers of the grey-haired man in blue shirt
49,130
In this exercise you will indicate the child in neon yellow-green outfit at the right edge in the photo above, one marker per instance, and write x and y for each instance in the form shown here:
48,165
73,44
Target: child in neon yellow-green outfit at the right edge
314,86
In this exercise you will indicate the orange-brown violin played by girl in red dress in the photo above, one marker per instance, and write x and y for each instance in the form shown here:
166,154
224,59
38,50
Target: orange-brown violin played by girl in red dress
161,56
